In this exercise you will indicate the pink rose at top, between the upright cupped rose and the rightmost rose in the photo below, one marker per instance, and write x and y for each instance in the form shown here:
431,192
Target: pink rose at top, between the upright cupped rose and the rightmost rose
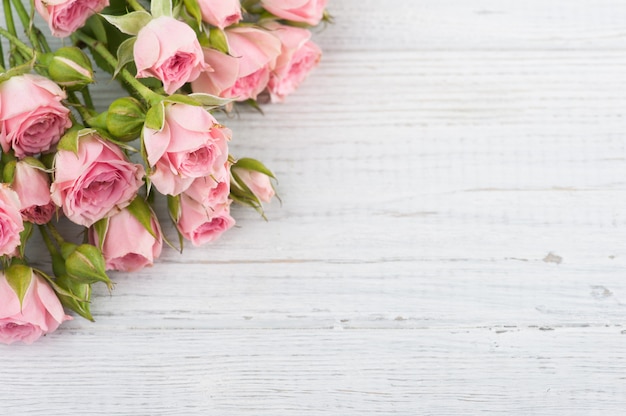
245,73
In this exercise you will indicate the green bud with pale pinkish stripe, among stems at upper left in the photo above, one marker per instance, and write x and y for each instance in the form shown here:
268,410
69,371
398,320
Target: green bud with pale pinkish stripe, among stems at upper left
71,68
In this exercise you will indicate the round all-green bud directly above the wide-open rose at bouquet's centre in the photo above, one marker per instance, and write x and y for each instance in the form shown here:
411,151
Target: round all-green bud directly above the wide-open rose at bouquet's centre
125,118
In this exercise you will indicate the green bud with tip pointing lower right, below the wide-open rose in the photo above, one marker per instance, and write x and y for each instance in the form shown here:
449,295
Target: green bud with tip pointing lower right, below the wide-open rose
85,263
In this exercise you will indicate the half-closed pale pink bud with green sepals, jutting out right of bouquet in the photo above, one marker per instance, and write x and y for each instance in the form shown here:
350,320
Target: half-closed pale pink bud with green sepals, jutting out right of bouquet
252,178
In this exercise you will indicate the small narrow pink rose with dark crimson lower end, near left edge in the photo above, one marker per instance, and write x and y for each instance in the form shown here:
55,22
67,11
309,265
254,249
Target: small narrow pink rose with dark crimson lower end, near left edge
32,185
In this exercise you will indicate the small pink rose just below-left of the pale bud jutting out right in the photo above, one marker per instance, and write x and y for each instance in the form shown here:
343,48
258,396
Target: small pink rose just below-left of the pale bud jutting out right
200,224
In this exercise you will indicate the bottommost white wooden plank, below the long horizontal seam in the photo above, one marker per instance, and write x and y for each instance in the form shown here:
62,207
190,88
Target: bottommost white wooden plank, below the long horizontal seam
312,372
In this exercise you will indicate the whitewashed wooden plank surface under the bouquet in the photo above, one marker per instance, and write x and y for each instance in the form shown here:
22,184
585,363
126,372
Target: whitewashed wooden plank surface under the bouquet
452,239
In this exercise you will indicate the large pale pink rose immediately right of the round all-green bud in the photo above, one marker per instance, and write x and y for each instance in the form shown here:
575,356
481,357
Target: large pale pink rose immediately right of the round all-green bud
190,145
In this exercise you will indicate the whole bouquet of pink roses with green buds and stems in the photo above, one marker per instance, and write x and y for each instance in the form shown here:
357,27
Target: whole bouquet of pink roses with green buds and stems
180,61
